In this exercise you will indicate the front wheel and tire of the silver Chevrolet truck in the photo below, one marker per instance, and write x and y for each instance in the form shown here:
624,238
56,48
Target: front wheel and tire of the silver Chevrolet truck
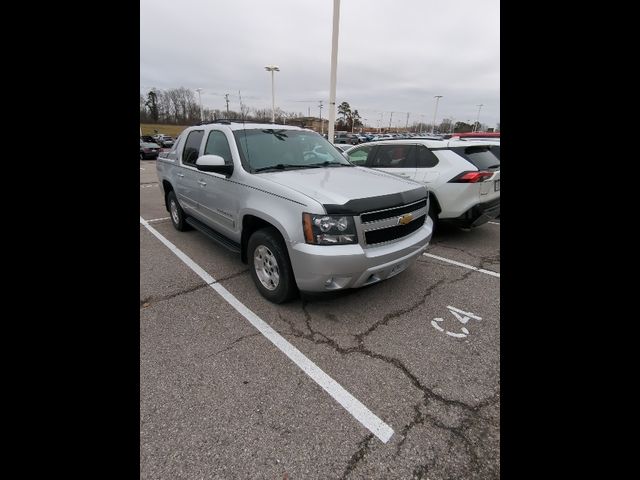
270,266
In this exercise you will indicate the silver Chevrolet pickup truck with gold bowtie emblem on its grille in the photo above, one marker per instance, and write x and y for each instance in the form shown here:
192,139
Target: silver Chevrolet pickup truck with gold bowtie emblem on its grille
301,215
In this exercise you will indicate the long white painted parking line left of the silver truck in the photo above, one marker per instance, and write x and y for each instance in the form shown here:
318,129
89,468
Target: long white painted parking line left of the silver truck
351,404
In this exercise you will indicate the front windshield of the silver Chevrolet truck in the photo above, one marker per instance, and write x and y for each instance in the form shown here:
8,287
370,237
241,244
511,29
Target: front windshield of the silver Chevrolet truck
266,149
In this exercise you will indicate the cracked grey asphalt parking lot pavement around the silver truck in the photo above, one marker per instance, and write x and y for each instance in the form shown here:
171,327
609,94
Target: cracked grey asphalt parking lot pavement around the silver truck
420,352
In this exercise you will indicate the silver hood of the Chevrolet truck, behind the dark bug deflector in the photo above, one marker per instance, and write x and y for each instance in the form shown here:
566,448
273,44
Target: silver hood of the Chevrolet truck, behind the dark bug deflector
337,186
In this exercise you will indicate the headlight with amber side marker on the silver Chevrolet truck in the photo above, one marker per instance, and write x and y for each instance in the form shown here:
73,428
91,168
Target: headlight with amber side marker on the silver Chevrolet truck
329,229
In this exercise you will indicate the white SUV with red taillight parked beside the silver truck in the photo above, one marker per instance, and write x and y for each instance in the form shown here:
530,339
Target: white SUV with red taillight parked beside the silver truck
463,176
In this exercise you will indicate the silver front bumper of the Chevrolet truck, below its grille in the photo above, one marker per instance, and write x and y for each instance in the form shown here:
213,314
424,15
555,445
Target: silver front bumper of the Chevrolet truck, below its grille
320,268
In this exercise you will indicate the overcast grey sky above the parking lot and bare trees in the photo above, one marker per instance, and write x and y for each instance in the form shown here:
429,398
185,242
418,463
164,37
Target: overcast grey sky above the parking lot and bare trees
393,55
